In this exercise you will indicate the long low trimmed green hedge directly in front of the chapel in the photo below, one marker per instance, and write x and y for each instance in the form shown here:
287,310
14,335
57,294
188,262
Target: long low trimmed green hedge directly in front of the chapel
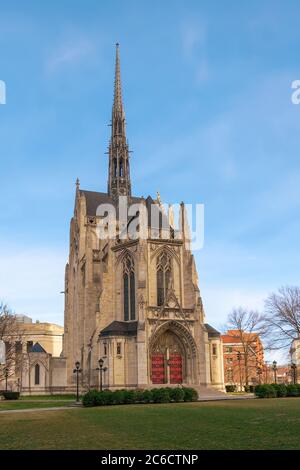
155,395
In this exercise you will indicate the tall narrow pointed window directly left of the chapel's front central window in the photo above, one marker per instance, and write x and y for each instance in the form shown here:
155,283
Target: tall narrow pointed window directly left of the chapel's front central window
129,288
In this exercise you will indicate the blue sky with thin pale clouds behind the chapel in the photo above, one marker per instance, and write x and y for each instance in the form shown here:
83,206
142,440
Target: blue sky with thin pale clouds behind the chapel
207,92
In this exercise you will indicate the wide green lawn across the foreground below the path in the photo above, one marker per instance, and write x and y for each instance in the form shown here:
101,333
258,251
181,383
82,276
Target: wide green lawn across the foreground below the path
241,424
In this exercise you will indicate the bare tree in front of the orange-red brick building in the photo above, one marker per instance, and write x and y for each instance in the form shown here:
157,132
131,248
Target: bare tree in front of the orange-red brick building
247,328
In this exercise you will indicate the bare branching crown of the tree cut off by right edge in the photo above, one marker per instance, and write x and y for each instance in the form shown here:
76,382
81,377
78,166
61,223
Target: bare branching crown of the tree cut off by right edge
283,317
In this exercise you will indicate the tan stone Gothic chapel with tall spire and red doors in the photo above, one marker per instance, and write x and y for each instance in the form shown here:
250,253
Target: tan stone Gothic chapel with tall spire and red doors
135,303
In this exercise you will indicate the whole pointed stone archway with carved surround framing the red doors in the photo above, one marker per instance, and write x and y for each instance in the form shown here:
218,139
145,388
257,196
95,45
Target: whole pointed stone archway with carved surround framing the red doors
172,355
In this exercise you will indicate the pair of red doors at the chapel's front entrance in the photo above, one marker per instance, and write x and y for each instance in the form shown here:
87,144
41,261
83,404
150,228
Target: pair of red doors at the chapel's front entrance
159,362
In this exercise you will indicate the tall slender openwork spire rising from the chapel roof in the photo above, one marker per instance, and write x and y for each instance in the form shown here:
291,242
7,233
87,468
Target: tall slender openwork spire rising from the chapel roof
119,170
